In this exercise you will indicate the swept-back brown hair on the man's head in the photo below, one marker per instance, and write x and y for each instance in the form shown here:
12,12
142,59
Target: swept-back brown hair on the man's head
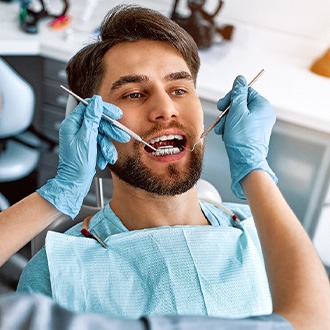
127,23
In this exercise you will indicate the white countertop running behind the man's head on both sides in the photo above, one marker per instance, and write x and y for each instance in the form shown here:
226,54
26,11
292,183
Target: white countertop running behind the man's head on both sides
298,95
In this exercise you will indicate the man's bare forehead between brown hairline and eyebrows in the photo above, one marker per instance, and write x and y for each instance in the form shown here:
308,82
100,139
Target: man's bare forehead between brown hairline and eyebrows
151,58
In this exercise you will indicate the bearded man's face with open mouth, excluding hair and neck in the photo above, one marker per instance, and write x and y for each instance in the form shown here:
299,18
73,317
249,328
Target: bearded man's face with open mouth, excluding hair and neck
151,83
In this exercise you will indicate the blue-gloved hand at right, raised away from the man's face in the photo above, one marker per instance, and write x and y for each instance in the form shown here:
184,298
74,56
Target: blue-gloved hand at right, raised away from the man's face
246,132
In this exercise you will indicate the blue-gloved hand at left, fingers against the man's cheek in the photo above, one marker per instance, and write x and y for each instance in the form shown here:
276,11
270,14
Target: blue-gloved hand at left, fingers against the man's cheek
83,142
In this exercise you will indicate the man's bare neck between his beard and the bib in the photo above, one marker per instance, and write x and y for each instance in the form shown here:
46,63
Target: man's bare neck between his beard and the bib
138,209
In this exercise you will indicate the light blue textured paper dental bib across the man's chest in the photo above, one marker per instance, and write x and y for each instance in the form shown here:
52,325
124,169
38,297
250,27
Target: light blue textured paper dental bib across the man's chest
178,270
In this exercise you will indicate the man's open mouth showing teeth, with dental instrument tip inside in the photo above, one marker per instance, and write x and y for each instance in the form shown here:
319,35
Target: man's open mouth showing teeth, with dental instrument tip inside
167,145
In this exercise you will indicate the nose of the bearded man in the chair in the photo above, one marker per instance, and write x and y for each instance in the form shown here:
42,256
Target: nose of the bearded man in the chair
162,107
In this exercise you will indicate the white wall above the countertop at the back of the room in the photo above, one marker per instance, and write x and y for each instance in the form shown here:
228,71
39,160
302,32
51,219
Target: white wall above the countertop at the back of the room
300,17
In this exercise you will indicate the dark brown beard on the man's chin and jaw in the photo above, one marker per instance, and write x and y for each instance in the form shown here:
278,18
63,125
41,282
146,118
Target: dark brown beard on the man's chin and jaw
135,173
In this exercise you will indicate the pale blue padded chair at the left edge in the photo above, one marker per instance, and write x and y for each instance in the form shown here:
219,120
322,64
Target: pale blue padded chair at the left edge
19,154
